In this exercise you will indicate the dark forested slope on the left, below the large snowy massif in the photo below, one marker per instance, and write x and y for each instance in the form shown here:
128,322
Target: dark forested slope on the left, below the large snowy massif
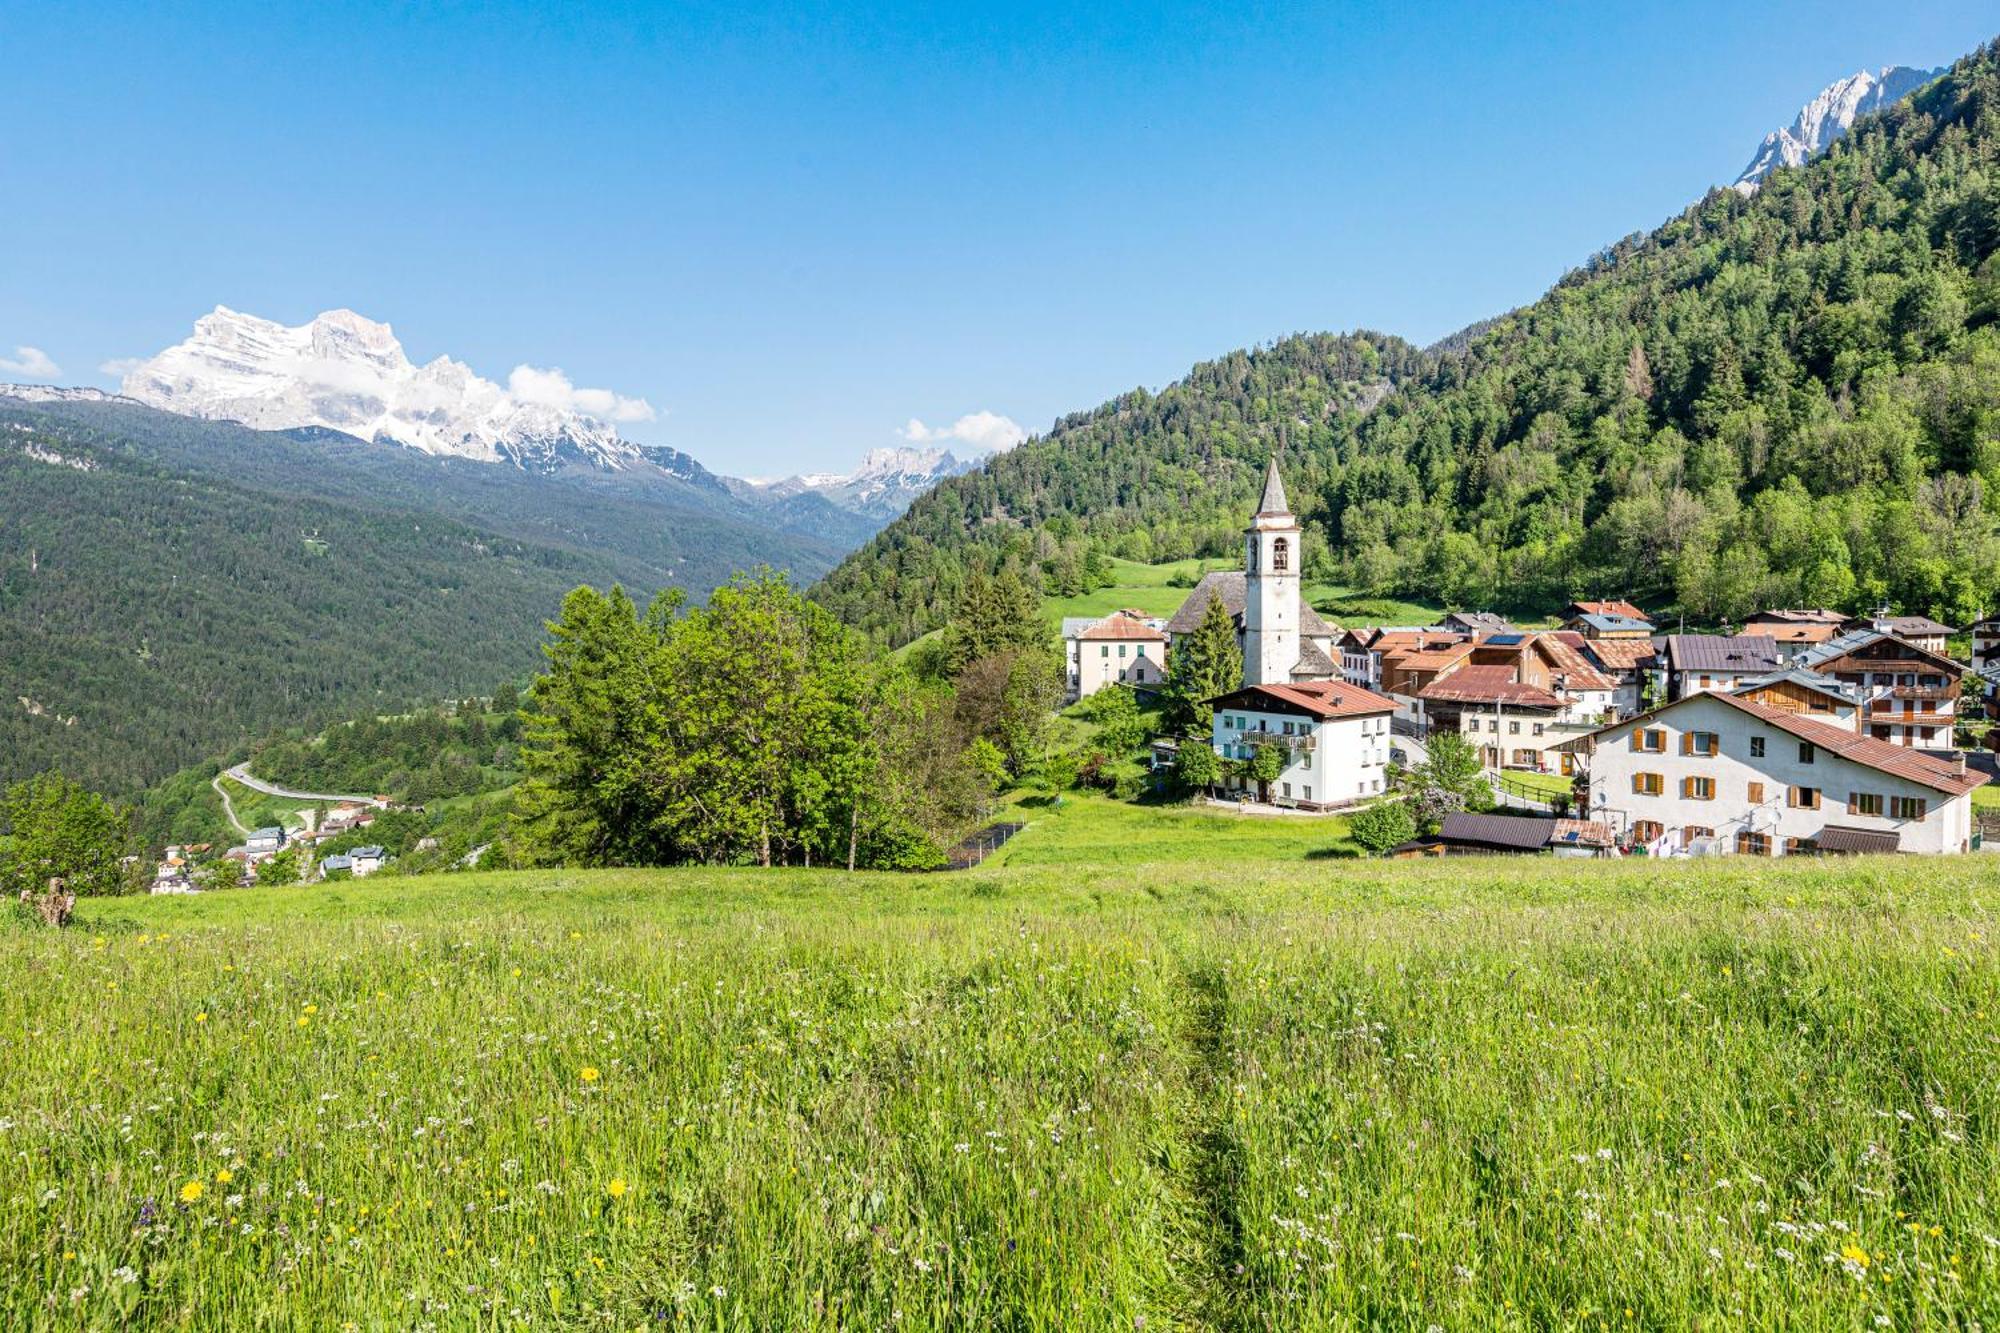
151,617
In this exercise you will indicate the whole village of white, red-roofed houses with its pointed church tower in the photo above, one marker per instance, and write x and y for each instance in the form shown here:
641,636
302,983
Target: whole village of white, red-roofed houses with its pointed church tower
1807,732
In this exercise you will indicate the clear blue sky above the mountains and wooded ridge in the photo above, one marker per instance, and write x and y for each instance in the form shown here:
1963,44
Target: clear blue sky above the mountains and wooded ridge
793,231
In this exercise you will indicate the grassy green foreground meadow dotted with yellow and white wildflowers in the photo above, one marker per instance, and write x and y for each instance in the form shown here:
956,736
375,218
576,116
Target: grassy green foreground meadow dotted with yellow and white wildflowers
1145,1070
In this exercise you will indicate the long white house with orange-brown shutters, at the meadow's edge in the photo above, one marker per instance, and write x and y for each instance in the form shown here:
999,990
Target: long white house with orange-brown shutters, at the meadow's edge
1721,774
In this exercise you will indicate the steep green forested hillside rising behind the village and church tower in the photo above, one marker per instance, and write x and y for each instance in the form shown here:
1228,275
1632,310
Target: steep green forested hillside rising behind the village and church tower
1779,399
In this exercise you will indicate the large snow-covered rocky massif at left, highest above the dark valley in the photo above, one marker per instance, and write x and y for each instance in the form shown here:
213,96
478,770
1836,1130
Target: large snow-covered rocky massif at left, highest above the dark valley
347,373
